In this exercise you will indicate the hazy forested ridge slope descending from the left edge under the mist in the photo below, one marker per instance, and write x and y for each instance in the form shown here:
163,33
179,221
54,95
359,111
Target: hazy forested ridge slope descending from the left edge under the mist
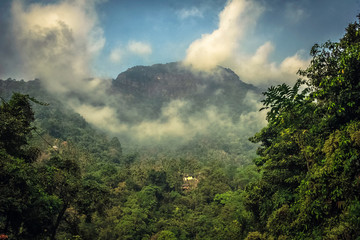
57,122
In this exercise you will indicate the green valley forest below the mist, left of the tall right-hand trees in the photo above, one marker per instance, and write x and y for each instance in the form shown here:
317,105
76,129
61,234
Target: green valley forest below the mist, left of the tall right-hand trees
80,186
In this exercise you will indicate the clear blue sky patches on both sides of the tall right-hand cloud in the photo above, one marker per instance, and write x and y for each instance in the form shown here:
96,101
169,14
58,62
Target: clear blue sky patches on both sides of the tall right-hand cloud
160,23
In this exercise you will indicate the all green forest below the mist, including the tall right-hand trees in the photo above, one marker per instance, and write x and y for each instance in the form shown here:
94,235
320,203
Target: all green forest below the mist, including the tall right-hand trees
60,178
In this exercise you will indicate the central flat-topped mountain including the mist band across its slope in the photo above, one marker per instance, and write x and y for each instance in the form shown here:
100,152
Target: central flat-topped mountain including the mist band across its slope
174,107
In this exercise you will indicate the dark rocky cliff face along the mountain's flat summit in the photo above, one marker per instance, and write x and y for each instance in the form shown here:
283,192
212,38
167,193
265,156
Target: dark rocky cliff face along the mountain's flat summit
172,80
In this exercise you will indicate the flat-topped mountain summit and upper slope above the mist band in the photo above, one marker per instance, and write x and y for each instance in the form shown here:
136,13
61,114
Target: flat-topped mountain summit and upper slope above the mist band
150,88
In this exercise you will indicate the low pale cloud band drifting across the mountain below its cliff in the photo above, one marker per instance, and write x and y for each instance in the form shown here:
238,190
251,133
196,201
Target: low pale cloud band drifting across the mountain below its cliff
175,124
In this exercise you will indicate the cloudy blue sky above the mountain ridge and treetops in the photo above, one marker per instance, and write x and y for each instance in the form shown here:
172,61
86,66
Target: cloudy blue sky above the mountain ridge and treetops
264,41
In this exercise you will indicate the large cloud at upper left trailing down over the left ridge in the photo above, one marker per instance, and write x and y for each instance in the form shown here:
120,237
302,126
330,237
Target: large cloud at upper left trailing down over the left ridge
57,43
